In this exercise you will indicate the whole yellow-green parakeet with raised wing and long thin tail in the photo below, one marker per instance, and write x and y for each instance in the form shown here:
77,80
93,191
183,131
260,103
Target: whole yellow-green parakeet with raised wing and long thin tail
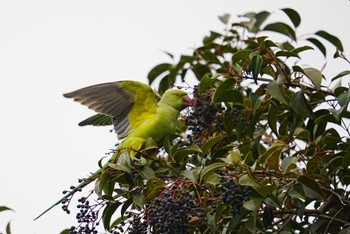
132,106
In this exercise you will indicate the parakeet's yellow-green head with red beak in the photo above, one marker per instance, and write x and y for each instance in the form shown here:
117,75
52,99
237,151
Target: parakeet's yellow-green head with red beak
178,99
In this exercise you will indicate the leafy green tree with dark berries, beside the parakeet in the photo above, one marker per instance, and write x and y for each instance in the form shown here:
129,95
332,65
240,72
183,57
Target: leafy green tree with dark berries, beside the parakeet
265,147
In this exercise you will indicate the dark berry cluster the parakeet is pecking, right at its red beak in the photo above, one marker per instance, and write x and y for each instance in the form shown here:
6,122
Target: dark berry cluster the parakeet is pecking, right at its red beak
202,118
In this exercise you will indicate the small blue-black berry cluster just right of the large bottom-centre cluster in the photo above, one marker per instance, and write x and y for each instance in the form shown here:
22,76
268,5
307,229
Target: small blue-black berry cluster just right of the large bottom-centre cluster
233,194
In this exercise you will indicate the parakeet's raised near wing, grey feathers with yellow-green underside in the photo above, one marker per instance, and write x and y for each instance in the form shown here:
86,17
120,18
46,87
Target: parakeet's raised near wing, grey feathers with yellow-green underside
128,103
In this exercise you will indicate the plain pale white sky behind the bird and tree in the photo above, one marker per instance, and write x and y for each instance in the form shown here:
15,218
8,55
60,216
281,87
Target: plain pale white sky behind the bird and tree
51,47
